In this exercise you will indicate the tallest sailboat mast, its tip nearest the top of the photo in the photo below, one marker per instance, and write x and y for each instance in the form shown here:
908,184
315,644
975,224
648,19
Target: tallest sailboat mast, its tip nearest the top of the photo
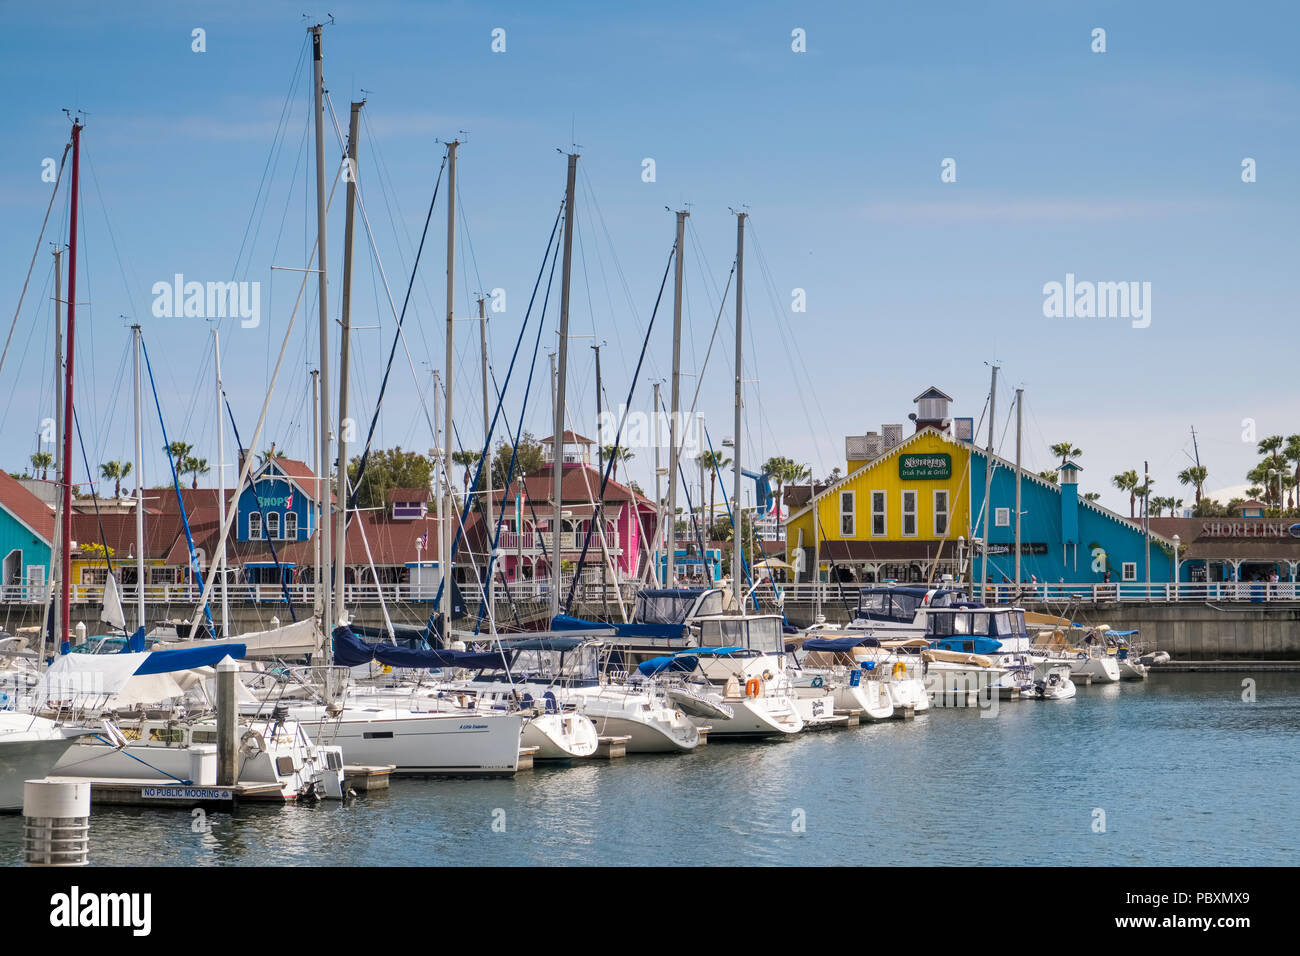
324,608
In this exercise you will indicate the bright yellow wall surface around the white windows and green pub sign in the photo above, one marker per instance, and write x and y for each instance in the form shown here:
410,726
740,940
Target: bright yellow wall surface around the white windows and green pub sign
883,477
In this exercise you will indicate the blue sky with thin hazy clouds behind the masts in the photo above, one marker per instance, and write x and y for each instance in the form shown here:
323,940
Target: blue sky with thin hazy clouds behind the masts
915,178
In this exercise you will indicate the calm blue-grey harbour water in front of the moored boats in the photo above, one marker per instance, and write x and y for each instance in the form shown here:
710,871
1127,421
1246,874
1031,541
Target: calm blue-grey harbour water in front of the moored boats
1185,771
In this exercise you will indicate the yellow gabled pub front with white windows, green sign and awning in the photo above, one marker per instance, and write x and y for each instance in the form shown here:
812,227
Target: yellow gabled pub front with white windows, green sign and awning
896,517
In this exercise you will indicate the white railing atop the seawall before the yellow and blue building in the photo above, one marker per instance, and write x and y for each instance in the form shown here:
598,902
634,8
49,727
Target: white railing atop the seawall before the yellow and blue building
1041,594
